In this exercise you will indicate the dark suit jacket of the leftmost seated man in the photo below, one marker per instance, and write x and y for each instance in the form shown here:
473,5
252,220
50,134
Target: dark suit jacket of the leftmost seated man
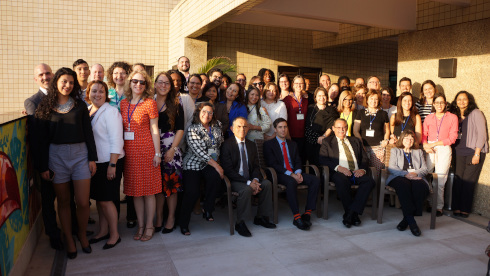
230,160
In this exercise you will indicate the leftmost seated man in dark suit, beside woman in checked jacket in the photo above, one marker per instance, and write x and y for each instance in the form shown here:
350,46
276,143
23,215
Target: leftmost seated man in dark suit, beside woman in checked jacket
241,165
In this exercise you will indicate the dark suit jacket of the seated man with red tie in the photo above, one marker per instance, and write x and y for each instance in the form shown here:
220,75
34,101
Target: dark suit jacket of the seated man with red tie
275,159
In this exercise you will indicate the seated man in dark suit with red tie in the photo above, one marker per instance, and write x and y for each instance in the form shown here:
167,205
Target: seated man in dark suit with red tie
282,155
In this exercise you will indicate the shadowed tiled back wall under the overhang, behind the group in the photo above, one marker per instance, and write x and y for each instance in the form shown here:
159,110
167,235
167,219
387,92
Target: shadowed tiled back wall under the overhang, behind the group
255,47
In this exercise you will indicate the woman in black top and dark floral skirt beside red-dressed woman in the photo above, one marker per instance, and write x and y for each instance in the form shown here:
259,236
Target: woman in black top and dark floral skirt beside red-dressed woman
171,125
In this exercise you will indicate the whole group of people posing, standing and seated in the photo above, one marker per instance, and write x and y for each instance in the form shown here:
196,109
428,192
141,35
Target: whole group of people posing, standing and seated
169,136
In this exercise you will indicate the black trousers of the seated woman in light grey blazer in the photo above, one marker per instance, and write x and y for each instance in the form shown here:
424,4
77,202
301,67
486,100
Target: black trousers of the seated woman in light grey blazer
411,194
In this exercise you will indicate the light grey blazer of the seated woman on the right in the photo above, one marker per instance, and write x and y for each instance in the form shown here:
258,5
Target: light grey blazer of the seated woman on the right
397,160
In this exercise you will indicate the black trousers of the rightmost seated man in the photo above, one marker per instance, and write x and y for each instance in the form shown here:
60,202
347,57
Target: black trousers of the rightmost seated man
343,185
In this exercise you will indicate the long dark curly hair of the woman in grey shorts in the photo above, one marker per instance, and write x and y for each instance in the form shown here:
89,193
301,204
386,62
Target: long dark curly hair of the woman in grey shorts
49,102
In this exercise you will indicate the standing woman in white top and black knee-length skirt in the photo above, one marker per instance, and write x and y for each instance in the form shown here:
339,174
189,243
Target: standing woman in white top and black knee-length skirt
104,188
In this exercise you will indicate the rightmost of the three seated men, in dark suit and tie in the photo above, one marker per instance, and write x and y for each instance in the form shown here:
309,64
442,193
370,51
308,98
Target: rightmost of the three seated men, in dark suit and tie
348,165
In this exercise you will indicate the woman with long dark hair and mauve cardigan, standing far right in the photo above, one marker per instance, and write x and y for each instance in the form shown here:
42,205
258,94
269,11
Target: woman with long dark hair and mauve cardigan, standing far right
471,148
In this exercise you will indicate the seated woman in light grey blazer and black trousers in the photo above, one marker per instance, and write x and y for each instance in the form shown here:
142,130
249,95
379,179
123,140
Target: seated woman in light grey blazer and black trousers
407,175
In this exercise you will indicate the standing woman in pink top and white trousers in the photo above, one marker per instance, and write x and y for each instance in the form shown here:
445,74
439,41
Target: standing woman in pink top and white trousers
440,131
